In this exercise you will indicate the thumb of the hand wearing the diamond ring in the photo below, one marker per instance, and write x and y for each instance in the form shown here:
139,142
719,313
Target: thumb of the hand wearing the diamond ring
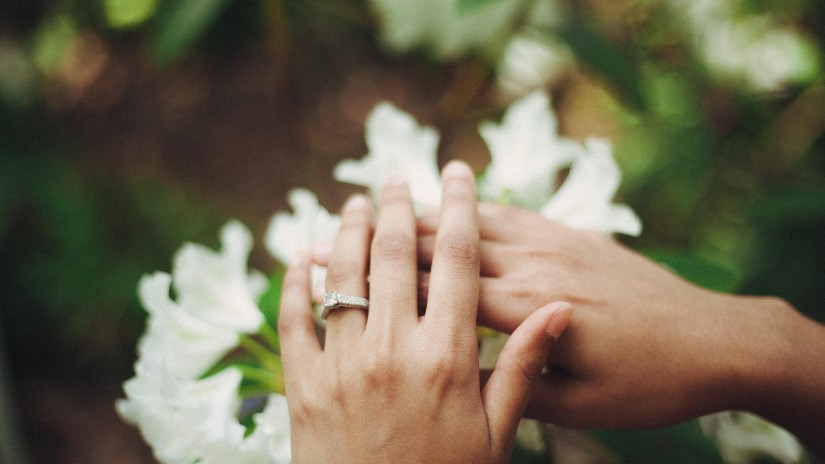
518,370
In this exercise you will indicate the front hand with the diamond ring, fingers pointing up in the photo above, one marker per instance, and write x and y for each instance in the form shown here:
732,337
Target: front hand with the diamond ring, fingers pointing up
390,385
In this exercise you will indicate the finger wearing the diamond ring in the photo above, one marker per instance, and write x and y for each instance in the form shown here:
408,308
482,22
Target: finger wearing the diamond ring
347,269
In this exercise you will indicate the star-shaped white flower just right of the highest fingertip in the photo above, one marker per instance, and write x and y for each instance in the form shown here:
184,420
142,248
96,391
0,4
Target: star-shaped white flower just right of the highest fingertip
527,153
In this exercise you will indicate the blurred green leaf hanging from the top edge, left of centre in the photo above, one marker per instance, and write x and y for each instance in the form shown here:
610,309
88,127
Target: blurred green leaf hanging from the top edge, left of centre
181,24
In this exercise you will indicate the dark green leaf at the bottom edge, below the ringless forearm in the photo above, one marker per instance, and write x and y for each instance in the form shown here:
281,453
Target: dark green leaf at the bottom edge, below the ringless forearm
682,444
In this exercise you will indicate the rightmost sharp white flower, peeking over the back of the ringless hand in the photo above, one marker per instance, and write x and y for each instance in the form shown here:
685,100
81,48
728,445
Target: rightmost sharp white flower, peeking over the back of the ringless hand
584,201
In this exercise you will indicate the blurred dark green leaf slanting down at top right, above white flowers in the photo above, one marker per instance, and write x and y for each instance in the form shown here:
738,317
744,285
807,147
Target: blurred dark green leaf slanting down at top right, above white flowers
596,53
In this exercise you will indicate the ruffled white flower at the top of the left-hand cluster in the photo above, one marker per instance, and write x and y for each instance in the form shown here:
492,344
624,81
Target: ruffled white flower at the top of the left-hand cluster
215,303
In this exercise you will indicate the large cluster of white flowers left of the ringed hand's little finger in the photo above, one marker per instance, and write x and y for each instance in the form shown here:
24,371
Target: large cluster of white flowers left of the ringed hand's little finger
184,416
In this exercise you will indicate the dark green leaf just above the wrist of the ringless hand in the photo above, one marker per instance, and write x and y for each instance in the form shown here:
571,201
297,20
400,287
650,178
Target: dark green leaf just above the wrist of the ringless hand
696,269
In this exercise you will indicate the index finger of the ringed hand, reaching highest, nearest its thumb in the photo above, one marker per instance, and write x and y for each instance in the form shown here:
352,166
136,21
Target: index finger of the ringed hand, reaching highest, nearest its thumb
453,285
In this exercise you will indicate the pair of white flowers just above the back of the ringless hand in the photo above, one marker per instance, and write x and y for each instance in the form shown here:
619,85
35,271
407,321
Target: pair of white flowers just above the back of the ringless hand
528,155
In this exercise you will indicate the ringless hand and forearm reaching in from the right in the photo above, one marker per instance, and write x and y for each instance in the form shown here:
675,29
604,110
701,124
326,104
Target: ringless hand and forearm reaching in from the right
645,348
